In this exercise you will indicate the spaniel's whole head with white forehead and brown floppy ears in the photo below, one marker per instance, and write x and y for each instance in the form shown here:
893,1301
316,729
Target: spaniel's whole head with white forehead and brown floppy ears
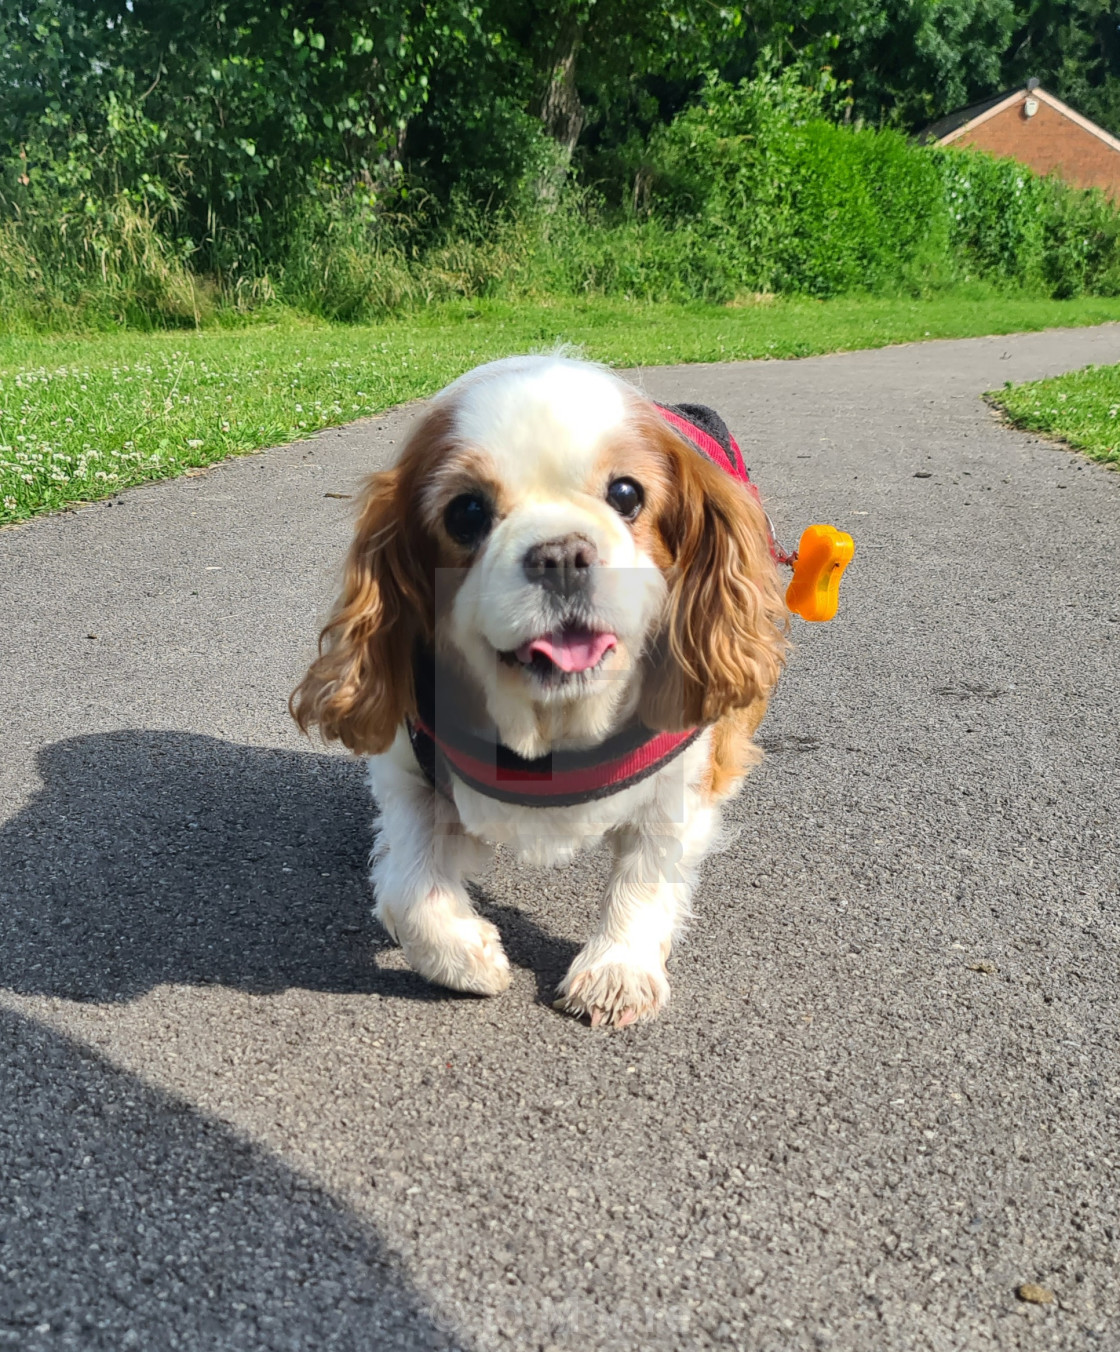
567,554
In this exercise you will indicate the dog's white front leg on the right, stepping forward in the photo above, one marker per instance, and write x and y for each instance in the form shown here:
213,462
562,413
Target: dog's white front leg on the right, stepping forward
620,977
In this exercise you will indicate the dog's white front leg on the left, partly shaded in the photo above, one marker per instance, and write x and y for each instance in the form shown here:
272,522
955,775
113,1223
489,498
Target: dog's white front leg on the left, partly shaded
419,866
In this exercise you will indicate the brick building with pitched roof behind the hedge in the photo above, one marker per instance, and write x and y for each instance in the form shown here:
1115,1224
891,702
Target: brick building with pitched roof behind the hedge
1040,130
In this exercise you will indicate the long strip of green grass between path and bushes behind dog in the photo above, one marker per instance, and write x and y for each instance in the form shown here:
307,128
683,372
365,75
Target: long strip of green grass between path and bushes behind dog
83,417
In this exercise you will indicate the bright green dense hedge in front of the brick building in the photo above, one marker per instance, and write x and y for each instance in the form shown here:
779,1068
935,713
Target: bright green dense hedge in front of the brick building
799,205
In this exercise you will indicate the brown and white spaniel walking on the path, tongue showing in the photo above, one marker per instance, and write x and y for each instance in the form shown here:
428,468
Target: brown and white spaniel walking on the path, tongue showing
561,623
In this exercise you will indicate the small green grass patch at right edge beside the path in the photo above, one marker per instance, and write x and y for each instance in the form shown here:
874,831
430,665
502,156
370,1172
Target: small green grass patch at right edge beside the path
1081,409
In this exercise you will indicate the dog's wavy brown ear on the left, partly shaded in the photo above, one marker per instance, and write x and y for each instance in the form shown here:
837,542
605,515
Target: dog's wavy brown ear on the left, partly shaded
360,687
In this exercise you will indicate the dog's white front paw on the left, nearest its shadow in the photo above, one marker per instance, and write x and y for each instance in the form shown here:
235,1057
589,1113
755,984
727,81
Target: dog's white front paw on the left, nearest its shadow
446,947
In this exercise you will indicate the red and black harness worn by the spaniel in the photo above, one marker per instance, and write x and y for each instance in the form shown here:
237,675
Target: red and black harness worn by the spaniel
444,748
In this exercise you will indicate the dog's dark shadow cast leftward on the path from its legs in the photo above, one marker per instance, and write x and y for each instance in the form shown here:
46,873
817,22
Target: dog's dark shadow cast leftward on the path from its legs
158,858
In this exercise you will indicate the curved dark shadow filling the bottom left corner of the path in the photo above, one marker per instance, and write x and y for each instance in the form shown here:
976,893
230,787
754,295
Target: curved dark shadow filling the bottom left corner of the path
129,1220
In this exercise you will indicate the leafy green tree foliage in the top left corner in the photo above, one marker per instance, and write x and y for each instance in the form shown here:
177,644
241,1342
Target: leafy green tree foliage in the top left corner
229,110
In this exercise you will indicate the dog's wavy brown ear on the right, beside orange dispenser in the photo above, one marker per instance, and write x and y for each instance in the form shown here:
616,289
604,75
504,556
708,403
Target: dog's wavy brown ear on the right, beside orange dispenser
724,635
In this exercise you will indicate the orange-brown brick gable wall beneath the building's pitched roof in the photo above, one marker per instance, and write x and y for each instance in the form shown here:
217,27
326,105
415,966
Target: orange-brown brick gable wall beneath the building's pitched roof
1050,143
